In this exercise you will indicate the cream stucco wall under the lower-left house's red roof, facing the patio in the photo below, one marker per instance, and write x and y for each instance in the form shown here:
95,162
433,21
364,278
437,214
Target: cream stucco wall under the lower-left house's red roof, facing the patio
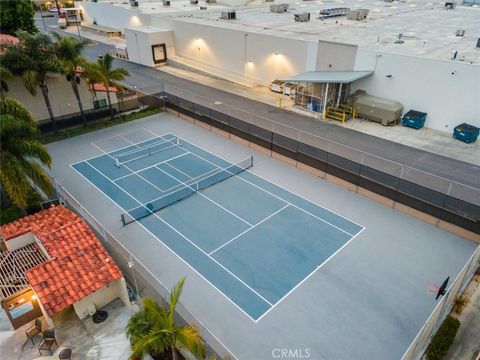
101,297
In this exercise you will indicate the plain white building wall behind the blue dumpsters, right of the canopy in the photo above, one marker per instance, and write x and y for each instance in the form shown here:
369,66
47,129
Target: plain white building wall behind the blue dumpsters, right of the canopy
448,91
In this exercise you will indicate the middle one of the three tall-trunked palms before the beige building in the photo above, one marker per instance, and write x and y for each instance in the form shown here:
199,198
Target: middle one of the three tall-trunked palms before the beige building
69,52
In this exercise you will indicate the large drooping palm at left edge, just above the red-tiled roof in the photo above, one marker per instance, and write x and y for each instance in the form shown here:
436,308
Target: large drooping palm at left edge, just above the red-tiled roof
21,155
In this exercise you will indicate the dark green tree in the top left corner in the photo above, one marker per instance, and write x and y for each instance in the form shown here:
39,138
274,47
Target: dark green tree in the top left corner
17,15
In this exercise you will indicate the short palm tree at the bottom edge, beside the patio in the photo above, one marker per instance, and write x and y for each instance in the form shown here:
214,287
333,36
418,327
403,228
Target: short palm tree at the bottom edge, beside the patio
153,331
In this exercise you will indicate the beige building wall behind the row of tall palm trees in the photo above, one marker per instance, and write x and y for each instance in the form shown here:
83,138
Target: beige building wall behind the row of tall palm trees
62,97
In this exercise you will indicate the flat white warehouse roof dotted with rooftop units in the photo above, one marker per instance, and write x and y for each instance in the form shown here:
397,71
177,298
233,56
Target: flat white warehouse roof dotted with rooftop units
427,29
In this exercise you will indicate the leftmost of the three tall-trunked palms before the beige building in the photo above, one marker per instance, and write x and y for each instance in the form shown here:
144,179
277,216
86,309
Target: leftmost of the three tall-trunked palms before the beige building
33,59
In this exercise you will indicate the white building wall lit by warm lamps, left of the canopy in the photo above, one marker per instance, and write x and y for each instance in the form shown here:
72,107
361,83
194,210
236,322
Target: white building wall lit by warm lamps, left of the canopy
242,54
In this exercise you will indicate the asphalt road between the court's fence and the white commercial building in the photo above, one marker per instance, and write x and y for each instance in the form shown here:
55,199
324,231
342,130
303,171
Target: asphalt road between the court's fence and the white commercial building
144,77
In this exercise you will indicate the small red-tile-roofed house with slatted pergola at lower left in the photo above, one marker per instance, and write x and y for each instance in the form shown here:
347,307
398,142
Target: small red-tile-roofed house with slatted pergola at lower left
52,260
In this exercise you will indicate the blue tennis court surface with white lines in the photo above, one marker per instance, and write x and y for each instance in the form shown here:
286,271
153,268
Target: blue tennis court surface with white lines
254,241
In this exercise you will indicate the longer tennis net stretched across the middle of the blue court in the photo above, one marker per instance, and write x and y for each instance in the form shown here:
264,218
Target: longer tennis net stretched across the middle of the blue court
189,189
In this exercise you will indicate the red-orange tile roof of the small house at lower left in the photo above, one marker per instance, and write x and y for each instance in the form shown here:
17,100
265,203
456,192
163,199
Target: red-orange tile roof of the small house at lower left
78,265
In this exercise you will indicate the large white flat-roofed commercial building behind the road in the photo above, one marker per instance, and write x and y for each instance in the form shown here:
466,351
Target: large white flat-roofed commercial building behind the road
422,54
